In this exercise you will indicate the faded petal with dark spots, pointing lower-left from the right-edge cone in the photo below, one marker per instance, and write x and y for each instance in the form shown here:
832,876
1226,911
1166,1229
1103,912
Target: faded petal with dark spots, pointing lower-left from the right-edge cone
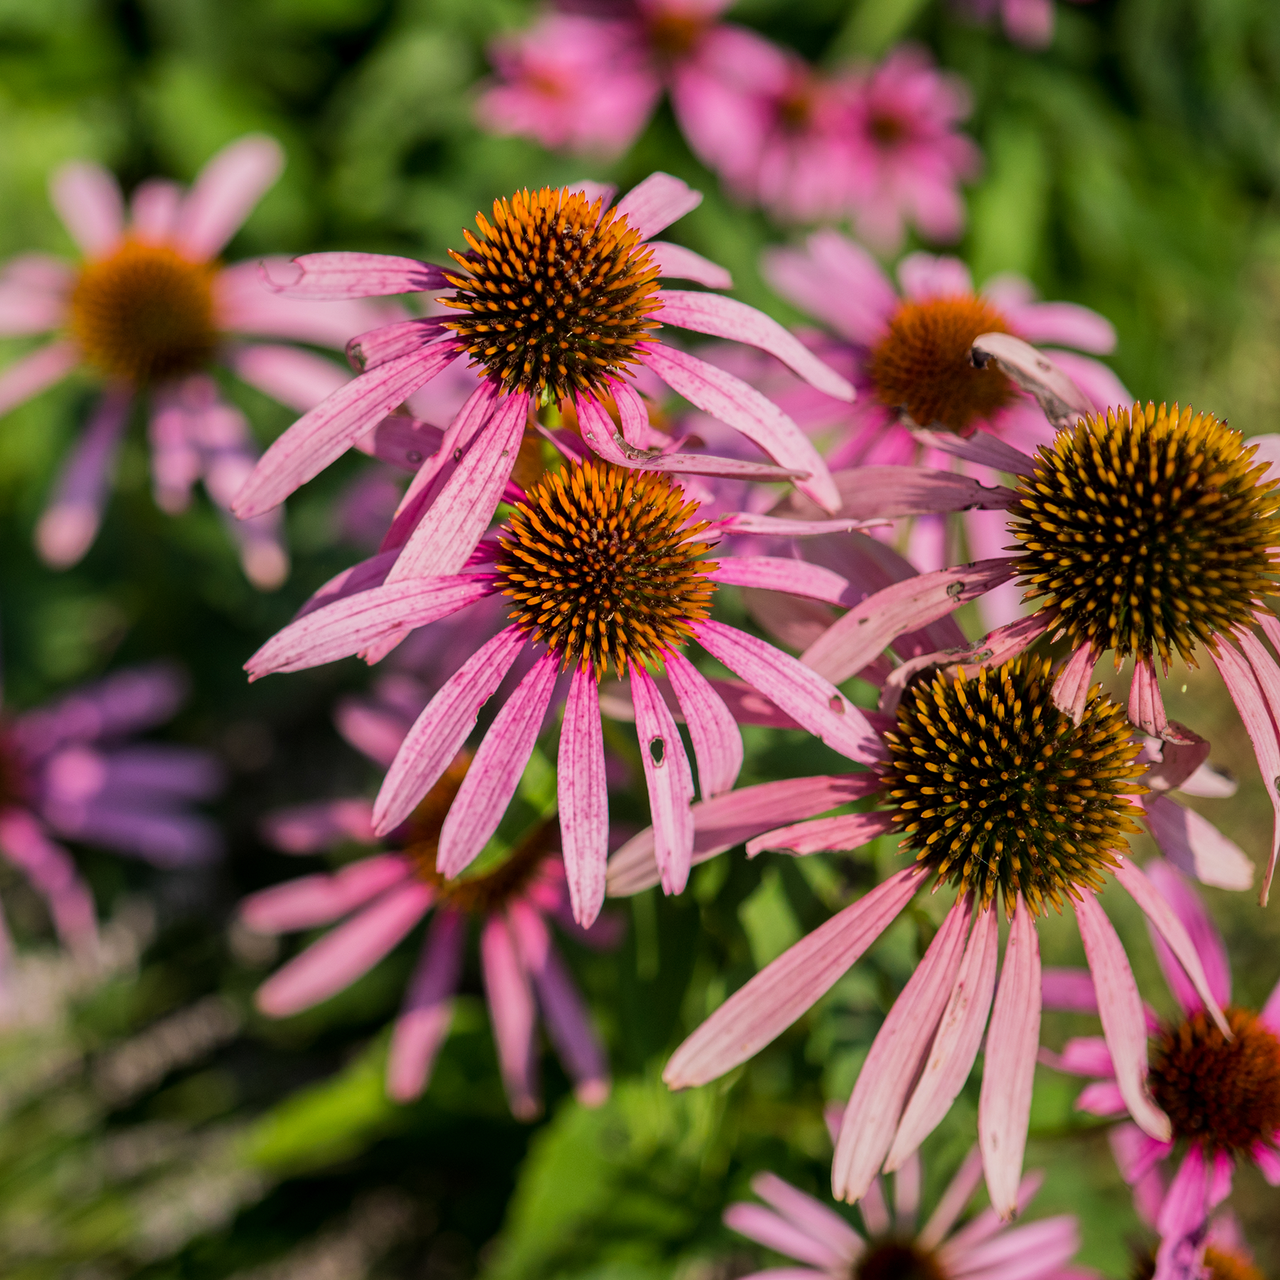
868,629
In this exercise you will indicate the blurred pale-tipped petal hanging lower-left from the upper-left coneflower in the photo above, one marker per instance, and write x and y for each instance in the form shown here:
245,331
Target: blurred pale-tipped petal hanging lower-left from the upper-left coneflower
70,523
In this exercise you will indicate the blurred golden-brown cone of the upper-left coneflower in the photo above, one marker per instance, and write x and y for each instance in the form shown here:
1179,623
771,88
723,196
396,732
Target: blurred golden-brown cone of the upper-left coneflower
145,314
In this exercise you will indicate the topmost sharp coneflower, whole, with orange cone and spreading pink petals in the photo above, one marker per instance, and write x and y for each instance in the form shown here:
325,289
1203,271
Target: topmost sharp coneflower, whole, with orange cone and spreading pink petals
557,300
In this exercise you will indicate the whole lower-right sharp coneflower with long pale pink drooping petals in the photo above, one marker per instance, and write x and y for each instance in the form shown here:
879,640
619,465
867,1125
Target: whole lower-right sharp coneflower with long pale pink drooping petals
1008,801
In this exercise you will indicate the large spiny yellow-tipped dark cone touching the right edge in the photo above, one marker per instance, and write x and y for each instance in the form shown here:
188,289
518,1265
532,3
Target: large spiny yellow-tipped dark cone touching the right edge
1149,532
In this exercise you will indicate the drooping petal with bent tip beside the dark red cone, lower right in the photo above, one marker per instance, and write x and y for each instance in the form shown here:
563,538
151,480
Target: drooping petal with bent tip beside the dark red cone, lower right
1121,1012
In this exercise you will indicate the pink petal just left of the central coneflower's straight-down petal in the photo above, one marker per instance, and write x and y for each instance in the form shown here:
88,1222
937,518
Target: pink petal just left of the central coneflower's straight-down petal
496,771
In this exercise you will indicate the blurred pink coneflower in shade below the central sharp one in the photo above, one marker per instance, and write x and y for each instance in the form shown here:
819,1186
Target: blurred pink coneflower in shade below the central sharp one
386,895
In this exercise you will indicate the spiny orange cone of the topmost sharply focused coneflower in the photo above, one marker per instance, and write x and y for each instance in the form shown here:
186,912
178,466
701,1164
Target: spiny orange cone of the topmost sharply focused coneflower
557,294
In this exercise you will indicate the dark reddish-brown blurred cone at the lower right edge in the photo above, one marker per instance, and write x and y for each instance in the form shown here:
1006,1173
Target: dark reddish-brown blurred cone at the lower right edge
1224,1094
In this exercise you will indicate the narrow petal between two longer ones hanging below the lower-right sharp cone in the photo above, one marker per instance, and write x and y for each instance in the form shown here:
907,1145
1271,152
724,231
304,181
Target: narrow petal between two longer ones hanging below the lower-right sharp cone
956,1046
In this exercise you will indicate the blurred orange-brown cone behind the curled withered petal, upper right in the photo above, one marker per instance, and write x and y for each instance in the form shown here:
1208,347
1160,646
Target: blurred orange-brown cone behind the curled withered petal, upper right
922,364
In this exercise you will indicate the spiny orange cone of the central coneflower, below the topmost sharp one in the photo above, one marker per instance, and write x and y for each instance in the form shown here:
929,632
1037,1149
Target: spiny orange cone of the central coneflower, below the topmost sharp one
604,566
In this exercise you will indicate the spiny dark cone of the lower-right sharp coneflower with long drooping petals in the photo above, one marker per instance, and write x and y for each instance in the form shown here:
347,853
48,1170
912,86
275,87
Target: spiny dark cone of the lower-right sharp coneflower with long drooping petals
1000,793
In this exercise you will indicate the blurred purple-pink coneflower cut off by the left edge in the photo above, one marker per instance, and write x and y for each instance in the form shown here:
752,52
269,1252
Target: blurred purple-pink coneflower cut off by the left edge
68,770
